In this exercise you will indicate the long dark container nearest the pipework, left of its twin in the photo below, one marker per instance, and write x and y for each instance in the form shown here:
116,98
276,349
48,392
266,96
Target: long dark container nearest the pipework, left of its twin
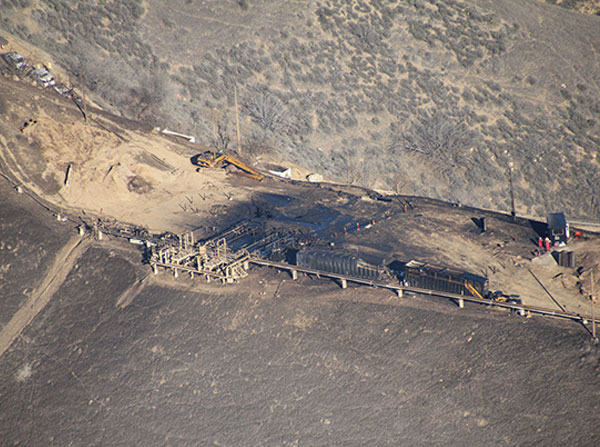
338,262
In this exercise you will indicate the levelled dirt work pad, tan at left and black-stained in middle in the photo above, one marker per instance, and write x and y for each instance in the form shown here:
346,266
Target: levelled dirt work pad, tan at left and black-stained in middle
124,171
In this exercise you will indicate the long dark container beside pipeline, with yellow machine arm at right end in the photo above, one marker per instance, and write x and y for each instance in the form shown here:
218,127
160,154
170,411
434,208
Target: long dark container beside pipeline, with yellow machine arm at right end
423,275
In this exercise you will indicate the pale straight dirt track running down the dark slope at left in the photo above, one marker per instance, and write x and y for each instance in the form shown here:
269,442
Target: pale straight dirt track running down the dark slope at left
56,275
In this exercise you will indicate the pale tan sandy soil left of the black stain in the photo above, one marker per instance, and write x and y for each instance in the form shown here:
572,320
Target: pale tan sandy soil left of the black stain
140,178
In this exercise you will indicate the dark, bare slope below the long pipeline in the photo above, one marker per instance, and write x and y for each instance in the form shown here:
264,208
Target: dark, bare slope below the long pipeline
273,362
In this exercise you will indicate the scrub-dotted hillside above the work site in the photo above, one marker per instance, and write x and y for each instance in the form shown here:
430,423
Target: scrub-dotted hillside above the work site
425,97
